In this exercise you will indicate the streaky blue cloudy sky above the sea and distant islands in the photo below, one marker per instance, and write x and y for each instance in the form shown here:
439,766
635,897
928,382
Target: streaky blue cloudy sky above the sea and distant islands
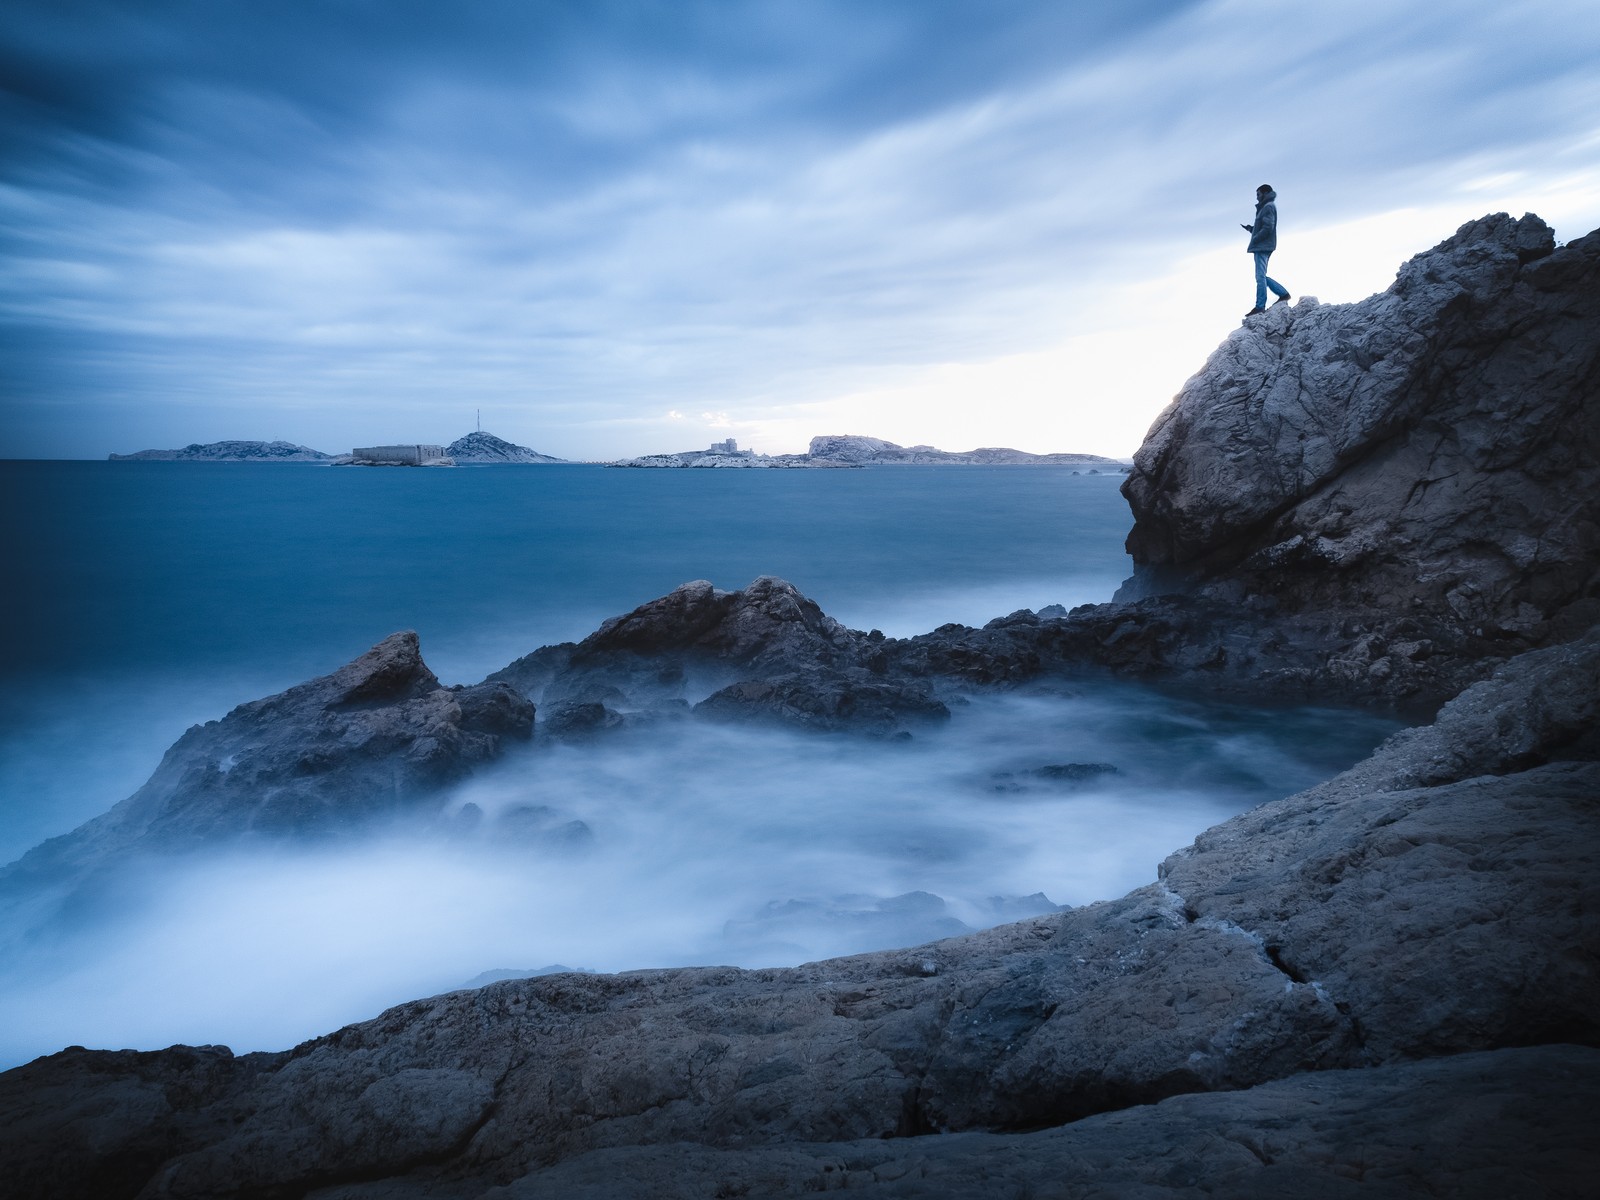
612,228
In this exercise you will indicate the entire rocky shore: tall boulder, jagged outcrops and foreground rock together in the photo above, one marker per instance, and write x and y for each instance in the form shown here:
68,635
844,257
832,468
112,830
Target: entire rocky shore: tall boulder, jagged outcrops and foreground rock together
1383,986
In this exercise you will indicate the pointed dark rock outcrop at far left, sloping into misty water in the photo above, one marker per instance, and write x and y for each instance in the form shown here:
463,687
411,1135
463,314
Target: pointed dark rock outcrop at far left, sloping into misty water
377,740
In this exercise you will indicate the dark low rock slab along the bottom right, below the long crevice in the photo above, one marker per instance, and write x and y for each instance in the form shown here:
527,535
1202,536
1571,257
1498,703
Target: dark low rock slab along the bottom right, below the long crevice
1474,1127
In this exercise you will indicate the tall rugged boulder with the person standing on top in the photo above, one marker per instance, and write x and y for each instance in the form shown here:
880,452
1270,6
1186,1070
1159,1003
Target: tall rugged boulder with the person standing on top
1433,450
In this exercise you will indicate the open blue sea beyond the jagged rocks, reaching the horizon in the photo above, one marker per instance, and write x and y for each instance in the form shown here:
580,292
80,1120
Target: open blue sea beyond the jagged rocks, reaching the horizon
145,598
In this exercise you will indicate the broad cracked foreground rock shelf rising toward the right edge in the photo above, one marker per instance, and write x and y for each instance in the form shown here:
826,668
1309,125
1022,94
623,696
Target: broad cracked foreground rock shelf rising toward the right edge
1439,900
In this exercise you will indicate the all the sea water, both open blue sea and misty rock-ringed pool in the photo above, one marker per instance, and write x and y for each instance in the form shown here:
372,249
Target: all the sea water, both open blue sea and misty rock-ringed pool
145,598
